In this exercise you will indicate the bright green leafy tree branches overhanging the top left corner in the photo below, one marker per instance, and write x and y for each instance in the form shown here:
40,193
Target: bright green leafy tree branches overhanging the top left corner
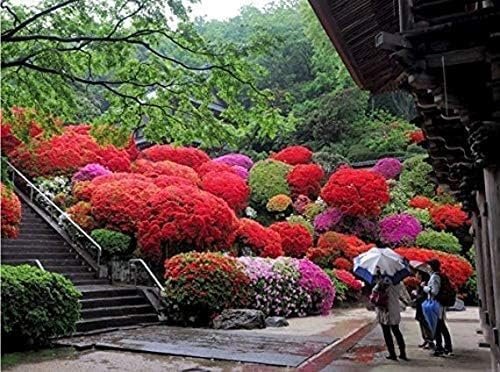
123,62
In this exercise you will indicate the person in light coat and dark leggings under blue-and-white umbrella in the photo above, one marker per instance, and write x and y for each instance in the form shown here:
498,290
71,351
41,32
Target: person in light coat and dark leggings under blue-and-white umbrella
385,296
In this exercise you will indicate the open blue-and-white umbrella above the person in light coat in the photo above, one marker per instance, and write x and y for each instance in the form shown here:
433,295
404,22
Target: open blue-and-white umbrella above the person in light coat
381,261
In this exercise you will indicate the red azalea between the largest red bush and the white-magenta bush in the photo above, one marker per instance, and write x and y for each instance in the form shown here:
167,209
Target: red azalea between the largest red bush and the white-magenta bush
263,241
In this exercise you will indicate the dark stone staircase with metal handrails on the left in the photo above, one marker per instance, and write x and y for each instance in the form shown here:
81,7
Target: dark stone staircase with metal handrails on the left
103,305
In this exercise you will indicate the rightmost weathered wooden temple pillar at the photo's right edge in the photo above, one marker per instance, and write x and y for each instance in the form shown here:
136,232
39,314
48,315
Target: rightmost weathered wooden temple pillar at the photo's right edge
492,195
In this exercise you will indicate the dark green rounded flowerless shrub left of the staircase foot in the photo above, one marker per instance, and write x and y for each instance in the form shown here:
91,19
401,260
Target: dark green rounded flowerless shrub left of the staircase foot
36,306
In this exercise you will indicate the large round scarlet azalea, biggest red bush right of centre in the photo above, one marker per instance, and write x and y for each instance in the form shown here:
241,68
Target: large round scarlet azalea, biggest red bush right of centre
356,192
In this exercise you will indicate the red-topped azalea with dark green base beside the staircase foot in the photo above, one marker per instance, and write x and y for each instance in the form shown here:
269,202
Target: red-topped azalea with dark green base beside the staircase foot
200,285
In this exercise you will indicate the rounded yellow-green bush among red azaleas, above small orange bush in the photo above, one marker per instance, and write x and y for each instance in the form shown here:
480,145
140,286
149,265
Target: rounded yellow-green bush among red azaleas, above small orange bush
268,178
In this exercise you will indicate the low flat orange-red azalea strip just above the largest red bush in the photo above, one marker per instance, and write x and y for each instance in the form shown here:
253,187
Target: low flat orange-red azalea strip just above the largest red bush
165,168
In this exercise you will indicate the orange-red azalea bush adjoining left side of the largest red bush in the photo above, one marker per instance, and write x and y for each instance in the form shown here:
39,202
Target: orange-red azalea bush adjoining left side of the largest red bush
119,205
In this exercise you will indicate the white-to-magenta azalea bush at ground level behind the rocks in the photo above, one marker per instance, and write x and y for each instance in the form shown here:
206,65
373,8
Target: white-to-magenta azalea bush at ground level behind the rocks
288,286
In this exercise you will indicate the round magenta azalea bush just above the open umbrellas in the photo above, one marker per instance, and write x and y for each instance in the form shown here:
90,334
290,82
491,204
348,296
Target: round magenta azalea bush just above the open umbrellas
399,229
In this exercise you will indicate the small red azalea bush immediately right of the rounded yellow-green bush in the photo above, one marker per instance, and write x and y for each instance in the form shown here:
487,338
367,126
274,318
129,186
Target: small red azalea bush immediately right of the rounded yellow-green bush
305,179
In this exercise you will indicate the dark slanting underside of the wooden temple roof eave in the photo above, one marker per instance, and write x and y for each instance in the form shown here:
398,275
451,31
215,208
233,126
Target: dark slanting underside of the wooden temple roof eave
352,26
